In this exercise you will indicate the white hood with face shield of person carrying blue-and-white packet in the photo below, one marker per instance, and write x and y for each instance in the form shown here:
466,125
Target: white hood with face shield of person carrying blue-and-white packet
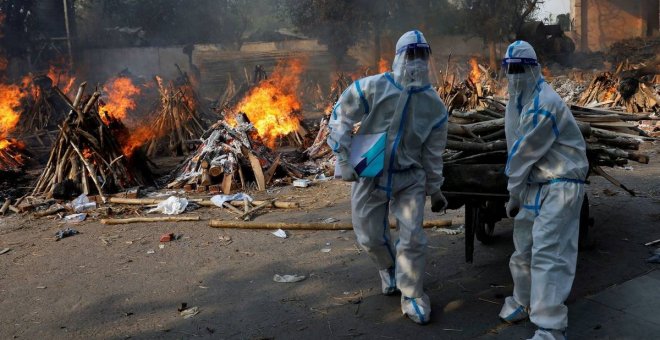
411,61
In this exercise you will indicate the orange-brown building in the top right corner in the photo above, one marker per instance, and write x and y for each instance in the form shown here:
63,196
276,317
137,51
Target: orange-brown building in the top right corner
599,23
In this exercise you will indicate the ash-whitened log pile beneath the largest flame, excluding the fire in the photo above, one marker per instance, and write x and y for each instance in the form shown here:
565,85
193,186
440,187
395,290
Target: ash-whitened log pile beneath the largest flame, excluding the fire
230,156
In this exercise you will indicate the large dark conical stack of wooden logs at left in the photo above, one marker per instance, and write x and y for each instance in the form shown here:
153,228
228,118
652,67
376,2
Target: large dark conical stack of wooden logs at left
86,157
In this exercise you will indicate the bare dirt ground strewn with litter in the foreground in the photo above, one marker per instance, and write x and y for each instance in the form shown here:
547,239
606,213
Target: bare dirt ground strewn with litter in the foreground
116,282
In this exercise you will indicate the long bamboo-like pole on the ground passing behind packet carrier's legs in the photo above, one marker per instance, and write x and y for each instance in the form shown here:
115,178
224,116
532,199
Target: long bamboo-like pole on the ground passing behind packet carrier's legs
306,226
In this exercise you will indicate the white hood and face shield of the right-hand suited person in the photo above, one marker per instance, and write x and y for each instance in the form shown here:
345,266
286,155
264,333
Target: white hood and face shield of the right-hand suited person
523,73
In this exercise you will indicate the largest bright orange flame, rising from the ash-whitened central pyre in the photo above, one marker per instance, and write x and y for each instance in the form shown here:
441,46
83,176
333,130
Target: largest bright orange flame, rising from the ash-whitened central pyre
271,106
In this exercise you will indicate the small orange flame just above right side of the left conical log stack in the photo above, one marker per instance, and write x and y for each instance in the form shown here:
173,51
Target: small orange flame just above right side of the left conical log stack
120,100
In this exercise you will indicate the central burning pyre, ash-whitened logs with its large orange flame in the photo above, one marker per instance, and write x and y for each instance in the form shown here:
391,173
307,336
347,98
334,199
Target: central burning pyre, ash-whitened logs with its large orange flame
238,149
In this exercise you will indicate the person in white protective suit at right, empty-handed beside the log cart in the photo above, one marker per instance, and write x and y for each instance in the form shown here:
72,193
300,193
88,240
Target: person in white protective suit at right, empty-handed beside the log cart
547,166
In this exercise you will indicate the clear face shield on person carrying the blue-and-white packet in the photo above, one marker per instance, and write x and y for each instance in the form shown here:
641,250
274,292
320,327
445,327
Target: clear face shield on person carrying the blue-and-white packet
417,63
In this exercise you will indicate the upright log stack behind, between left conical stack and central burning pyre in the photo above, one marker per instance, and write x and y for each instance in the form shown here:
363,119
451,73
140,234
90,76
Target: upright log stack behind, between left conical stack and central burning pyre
177,124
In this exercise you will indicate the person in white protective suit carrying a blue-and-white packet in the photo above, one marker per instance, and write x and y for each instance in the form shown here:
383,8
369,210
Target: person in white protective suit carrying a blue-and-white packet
409,122
